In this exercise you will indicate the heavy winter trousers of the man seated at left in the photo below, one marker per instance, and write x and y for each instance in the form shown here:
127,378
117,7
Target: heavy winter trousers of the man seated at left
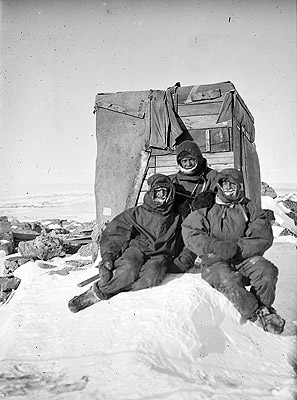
133,271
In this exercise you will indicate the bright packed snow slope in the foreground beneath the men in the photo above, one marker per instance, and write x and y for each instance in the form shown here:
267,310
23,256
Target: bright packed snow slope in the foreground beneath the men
181,340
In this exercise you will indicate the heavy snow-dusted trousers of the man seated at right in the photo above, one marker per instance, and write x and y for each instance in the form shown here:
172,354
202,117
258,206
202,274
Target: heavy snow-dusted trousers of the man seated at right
258,272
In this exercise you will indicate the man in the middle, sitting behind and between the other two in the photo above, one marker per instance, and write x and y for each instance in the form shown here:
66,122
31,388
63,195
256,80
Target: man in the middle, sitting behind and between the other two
193,178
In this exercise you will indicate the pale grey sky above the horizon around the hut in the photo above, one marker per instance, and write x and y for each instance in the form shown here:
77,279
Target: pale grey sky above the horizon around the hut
56,55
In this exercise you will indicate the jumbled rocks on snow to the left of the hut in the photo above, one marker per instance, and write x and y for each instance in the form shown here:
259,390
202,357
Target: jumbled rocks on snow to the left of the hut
43,241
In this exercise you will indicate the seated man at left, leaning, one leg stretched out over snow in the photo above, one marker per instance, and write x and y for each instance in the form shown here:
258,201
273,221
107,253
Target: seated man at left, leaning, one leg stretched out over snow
137,246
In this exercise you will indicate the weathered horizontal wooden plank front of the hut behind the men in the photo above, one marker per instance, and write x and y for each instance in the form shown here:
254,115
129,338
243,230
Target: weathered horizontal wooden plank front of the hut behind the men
199,119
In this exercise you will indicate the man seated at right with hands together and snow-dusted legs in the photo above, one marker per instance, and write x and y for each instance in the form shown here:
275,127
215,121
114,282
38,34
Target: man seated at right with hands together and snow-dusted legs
231,239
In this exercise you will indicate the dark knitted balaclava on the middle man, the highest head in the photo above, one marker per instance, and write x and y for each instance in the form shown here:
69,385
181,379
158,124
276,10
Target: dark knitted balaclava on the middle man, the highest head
190,148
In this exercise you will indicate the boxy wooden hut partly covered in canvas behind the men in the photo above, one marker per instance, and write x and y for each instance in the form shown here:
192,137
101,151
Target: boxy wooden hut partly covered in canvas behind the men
137,133
